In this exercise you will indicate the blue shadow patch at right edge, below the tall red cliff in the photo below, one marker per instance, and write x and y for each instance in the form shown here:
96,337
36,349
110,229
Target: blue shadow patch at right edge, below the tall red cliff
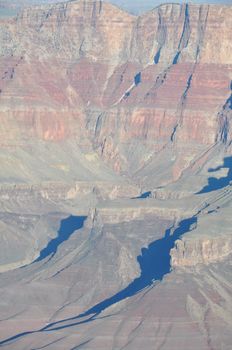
216,184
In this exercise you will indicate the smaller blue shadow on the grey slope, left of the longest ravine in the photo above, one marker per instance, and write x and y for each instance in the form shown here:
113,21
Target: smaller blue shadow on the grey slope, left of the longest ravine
67,227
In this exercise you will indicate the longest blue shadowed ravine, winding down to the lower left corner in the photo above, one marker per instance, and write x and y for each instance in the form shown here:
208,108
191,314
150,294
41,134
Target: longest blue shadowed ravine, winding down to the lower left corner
154,263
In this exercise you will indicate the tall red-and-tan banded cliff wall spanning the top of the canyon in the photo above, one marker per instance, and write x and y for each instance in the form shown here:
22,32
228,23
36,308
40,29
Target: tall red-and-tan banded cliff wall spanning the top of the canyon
128,87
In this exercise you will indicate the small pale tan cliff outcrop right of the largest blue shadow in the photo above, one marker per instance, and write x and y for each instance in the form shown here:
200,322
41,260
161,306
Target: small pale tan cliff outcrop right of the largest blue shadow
211,241
